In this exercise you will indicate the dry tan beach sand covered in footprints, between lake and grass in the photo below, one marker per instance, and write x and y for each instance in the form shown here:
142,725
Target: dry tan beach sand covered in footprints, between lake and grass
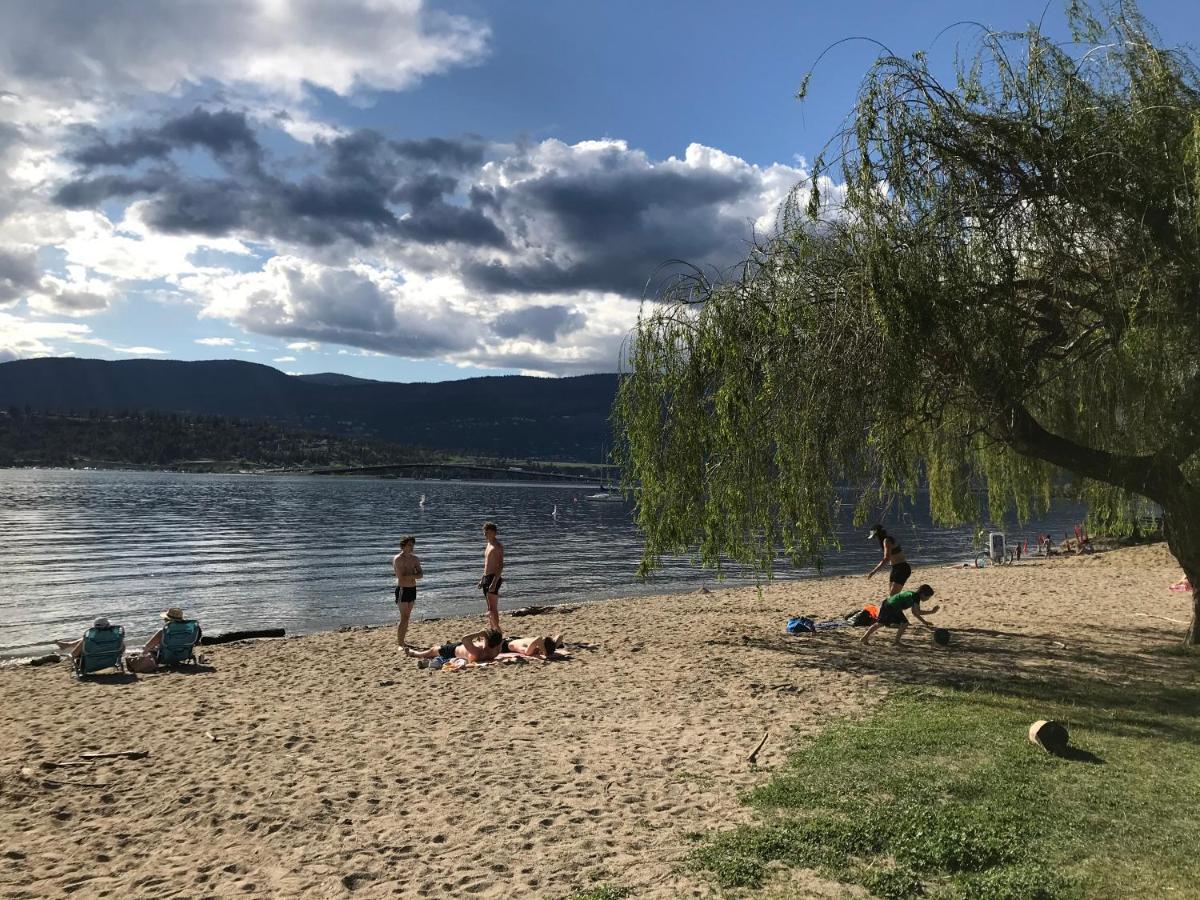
340,770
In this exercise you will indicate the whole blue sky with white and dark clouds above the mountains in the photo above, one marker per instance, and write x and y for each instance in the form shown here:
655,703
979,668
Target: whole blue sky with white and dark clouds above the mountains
415,191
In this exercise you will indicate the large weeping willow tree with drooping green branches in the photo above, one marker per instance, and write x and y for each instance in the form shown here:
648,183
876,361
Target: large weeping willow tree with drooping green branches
998,289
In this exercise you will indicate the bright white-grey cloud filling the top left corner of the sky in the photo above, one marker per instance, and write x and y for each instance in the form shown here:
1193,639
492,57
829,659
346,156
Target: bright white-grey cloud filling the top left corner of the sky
85,50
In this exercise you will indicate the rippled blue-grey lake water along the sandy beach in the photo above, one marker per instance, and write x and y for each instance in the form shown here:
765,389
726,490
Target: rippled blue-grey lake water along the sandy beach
313,554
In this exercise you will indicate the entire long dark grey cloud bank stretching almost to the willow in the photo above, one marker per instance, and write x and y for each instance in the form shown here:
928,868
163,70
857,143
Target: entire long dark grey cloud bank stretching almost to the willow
547,219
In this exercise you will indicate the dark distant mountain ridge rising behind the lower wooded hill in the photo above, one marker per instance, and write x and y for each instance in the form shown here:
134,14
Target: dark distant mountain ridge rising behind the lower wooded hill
502,416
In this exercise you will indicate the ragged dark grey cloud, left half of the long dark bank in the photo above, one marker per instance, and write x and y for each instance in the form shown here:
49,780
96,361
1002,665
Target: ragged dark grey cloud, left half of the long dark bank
359,194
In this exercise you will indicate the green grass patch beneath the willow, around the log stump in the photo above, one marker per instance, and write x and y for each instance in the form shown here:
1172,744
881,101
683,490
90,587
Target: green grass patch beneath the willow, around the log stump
940,794
